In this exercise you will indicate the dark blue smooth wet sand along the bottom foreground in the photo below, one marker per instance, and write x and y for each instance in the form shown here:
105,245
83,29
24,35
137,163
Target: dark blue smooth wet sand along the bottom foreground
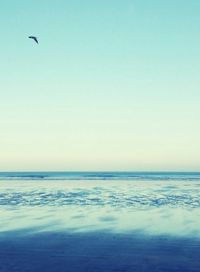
97,251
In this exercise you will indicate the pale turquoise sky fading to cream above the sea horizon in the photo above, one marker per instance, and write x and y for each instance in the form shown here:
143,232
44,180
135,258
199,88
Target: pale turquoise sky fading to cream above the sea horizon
112,85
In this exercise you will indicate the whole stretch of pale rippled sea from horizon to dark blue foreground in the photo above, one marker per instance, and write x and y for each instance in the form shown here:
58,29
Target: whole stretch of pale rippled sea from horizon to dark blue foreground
154,203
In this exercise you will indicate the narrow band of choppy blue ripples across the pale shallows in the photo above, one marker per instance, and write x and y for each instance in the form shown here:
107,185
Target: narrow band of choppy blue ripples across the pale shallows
101,198
